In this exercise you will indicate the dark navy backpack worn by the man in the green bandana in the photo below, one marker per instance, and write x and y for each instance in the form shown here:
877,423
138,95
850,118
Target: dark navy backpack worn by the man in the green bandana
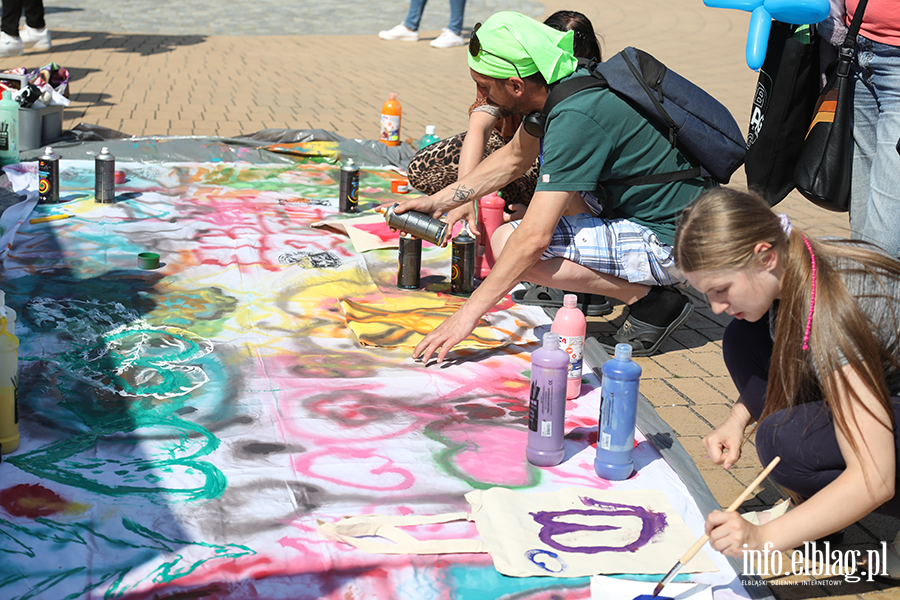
697,124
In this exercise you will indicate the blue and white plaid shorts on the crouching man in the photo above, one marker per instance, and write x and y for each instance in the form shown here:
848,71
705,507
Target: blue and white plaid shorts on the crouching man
618,247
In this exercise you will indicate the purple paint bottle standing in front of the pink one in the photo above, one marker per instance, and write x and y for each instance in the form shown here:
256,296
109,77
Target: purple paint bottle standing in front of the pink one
547,405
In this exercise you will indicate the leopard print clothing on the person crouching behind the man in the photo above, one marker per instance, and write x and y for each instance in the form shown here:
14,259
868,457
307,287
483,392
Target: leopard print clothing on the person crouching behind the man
436,166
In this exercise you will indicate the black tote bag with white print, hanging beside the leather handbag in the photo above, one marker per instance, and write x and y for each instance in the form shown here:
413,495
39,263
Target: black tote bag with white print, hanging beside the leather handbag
783,105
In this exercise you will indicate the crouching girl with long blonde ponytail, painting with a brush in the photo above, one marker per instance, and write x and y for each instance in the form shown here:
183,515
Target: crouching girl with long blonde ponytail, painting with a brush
813,351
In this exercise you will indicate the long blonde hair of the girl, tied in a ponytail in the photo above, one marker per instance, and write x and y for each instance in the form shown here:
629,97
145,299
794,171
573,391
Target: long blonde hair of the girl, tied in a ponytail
720,231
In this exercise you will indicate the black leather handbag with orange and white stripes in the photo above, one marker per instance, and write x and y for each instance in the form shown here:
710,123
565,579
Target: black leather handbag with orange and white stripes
824,169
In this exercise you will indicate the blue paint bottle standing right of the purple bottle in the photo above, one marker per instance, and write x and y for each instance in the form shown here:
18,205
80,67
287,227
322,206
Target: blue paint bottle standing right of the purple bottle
618,413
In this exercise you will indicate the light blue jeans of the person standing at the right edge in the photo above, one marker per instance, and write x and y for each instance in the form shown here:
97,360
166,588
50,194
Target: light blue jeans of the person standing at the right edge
875,193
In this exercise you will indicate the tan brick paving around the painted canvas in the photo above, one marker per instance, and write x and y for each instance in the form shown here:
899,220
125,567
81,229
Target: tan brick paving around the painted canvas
149,67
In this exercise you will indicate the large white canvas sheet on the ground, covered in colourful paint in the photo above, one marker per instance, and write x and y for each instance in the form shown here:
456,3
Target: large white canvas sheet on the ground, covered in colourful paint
182,428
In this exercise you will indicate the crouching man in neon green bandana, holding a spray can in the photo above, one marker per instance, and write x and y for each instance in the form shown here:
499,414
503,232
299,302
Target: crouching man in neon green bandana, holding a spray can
562,242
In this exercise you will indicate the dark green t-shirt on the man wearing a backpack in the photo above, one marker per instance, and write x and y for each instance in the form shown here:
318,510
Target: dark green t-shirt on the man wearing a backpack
596,136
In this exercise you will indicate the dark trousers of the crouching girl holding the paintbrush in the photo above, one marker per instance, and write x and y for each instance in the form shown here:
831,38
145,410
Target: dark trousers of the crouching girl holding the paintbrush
804,437
